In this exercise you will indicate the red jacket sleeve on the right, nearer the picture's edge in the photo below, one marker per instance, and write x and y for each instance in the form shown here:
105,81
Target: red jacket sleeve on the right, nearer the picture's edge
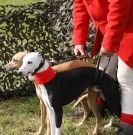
116,23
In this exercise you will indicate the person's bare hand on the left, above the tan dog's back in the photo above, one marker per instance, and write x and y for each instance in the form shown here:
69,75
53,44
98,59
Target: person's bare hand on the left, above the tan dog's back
79,50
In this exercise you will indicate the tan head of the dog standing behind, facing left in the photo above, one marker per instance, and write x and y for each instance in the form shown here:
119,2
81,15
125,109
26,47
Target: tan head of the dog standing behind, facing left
16,61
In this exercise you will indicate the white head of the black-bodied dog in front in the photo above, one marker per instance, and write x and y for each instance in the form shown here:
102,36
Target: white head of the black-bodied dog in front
31,62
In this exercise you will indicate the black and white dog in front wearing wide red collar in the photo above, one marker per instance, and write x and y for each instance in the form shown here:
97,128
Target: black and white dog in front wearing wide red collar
60,88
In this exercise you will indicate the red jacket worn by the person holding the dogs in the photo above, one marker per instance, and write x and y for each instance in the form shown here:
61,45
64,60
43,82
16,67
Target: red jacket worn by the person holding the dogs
114,23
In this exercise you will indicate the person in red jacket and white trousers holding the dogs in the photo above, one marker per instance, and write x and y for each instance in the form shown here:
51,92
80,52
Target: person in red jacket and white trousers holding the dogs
113,20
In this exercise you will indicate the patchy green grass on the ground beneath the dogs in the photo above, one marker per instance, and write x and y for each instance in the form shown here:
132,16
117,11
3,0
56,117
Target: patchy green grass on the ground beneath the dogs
20,116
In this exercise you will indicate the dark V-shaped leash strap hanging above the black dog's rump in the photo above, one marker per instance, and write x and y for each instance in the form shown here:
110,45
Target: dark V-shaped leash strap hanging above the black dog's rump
97,67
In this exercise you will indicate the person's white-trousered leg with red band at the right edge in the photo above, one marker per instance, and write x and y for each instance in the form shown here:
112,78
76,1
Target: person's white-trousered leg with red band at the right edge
125,78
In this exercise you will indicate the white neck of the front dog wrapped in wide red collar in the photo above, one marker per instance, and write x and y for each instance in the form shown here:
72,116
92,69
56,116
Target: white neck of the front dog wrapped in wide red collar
44,74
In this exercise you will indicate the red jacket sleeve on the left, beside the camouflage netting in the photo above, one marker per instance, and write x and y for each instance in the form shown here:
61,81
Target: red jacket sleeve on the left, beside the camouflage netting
81,23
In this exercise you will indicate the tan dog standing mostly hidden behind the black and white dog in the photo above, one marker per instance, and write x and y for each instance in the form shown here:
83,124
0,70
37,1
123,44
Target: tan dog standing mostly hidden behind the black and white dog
16,62
